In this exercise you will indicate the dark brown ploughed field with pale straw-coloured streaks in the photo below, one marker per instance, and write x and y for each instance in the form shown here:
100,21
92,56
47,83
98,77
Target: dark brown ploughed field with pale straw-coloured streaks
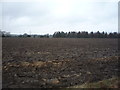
57,62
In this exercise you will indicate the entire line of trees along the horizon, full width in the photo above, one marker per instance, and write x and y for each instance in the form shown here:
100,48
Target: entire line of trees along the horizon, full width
73,34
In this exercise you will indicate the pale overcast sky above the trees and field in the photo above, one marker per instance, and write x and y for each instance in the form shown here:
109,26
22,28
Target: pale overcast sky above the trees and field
48,16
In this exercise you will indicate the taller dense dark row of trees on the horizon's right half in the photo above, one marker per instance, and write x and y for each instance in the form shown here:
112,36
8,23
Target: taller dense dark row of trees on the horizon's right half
85,34
